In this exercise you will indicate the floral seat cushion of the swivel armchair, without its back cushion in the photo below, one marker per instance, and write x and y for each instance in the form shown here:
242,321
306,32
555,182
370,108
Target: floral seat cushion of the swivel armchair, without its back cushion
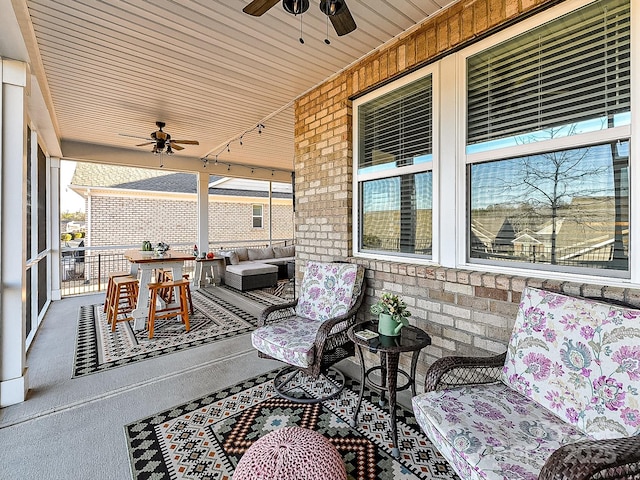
291,340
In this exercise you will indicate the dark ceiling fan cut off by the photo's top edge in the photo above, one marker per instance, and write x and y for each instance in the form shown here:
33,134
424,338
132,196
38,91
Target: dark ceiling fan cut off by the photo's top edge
336,10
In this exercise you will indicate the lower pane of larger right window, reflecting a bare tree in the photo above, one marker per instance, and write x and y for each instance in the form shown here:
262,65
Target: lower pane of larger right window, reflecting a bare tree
565,208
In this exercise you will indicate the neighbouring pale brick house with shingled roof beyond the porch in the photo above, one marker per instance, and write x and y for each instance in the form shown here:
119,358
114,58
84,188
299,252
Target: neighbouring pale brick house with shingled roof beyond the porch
126,206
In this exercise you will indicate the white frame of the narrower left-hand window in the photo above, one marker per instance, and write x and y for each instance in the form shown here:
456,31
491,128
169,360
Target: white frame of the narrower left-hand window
409,169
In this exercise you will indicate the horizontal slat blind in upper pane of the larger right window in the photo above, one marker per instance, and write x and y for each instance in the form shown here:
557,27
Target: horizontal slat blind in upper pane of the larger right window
573,69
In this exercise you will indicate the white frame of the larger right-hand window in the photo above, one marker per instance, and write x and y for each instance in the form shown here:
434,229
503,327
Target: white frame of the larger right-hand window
592,138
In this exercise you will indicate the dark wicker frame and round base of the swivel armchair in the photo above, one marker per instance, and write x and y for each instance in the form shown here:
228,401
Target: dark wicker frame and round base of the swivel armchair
331,346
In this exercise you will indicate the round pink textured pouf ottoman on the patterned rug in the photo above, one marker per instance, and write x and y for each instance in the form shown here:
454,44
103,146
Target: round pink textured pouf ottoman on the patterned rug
291,453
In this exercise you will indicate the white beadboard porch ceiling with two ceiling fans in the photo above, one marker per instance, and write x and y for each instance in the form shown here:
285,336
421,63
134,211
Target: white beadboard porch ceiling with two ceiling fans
208,70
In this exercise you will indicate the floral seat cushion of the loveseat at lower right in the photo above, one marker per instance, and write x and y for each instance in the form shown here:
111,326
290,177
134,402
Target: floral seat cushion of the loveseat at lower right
491,431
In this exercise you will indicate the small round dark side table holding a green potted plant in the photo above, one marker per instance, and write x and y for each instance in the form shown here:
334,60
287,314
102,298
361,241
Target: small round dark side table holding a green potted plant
411,339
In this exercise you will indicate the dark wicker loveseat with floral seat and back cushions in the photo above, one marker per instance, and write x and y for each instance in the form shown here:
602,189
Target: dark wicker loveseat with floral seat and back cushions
567,403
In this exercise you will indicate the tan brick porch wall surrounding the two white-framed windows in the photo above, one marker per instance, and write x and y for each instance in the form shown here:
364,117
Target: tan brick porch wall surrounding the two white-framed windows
466,312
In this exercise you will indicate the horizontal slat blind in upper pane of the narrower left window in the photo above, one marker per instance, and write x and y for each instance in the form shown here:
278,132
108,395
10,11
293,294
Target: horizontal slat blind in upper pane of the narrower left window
396,127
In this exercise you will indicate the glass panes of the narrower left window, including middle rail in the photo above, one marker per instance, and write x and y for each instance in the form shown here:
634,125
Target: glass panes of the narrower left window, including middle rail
393,173
